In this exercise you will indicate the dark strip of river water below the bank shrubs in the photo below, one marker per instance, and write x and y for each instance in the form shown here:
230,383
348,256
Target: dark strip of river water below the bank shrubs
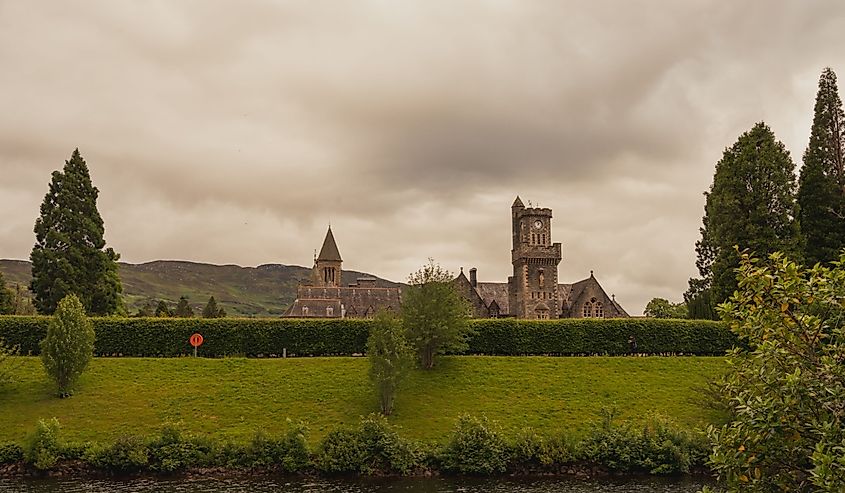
311,485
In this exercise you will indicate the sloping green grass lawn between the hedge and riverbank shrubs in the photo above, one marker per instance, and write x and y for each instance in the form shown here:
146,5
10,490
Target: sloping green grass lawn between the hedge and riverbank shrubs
235,396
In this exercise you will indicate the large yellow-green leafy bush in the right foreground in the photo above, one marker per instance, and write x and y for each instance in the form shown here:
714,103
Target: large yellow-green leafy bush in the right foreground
787,393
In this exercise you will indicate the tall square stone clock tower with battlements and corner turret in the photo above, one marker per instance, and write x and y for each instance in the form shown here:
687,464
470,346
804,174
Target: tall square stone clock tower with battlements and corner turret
533,288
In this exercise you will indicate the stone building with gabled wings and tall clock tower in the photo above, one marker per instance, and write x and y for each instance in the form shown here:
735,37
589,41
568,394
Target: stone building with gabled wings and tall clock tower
533,291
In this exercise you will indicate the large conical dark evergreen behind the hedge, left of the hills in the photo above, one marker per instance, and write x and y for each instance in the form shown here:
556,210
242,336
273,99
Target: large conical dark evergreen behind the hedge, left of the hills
69,256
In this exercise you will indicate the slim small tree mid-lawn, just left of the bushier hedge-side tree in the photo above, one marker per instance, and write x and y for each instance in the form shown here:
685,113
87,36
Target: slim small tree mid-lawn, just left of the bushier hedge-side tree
390,358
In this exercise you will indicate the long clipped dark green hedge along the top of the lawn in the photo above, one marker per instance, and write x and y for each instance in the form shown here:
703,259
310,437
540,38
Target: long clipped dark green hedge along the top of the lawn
271,337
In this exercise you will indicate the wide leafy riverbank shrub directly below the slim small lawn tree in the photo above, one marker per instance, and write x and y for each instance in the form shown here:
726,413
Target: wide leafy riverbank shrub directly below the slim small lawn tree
372,447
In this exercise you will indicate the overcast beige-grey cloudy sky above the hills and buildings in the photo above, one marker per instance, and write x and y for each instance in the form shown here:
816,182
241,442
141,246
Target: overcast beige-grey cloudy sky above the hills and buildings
234,132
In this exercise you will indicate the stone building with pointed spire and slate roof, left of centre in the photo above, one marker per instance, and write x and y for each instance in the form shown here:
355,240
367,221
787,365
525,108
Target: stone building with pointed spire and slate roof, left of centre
326,296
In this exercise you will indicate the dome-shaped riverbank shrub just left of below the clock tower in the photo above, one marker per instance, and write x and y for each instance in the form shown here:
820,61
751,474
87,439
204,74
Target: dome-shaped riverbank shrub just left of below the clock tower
477,446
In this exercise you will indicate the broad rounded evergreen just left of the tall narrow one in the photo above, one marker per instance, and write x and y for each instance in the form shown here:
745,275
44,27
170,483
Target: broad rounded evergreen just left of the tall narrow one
751,205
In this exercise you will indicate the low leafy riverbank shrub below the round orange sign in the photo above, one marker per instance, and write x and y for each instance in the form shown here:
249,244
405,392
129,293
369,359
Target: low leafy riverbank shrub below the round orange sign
172,451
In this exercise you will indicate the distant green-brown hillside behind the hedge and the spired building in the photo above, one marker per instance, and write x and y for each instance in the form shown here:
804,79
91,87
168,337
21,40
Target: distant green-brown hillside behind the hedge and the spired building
264,291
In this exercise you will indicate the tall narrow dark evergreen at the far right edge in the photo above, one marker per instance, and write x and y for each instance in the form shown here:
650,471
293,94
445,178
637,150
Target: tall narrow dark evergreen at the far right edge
821,188
